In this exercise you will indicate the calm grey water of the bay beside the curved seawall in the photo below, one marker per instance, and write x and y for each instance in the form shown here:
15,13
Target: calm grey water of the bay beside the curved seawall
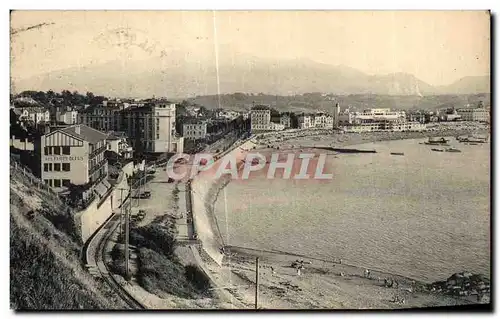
424,215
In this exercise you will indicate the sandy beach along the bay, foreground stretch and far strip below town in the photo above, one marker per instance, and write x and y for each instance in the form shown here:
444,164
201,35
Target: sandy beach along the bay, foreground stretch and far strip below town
322,284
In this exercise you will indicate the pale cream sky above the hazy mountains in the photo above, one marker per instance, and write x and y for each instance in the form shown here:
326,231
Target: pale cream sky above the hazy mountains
439,47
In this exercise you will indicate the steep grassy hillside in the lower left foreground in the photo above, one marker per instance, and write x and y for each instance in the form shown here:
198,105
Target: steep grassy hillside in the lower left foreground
46,272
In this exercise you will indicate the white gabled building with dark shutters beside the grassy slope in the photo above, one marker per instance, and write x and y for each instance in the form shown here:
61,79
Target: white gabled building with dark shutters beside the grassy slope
73,155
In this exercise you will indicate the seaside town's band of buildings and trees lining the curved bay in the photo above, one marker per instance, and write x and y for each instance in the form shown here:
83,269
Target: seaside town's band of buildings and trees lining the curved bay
45,126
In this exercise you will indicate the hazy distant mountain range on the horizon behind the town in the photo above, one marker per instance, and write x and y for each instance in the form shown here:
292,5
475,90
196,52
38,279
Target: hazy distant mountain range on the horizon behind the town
179,78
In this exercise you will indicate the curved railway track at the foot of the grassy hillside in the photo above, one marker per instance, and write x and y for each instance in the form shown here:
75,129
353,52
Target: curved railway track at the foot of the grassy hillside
95,252
